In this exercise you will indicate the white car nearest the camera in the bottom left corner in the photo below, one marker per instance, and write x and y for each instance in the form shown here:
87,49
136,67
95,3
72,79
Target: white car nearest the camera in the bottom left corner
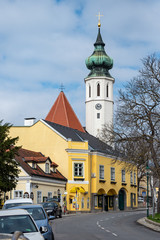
12,220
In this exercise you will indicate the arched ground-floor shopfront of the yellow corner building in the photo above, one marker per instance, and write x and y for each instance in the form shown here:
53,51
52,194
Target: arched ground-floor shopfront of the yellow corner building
80,200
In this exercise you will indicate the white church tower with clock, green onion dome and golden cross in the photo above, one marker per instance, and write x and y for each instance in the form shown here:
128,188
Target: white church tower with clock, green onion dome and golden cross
99,88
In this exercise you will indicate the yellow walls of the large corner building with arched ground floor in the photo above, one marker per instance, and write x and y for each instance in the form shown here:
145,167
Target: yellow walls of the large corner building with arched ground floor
85,189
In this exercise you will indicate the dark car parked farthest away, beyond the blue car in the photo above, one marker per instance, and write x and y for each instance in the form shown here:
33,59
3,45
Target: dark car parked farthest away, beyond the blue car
52,208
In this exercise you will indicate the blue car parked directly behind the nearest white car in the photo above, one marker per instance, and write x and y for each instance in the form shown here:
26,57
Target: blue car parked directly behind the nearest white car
40,217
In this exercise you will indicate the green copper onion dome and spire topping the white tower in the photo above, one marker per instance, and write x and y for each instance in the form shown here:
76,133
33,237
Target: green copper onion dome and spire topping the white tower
99,62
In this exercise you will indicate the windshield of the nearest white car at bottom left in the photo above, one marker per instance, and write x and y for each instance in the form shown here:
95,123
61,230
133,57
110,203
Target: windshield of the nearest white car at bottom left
22,223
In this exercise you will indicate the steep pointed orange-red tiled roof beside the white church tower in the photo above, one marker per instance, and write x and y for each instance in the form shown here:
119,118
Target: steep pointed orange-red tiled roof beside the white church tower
63,114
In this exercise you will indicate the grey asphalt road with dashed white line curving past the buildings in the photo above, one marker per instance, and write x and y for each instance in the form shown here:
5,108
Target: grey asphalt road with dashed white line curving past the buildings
111,226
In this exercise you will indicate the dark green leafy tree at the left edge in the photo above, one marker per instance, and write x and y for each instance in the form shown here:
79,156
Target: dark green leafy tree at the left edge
8,166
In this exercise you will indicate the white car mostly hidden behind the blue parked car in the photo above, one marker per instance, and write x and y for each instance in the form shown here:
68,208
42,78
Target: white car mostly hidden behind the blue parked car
16,202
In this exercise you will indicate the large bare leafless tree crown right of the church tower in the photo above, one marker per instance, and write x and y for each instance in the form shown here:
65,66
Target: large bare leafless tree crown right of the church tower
136,132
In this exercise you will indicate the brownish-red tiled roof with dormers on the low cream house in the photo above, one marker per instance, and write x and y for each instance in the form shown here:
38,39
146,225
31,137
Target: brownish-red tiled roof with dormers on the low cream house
25,156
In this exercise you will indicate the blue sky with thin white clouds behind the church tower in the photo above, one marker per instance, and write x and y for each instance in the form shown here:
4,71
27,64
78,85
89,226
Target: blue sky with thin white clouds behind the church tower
44,44
